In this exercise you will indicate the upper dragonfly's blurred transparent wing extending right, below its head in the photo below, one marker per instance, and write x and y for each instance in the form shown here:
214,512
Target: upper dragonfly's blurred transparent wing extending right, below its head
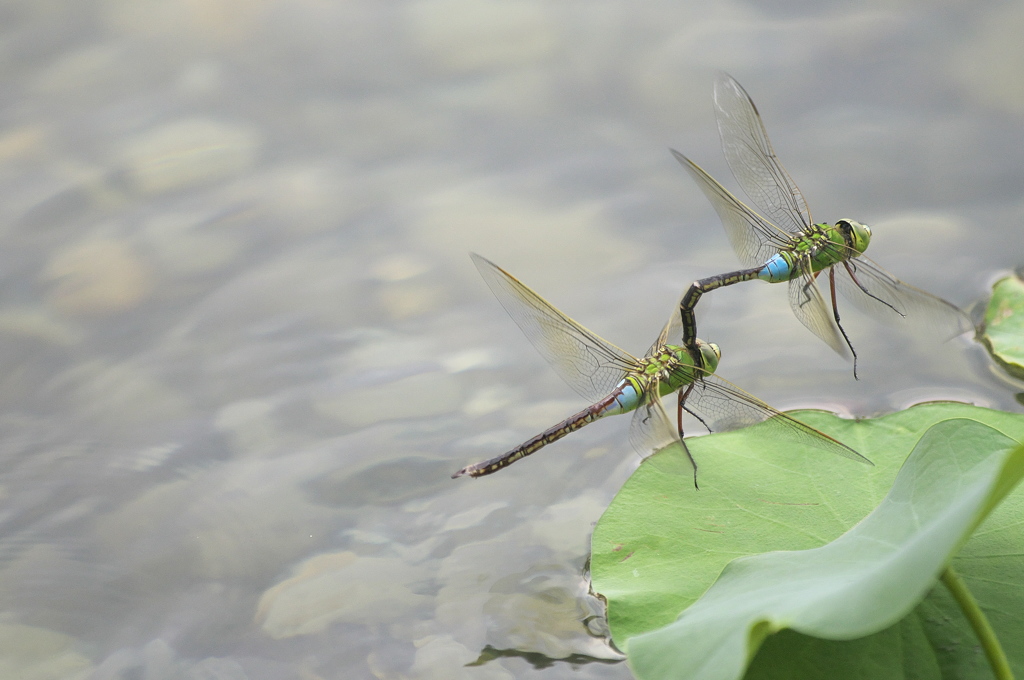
888,300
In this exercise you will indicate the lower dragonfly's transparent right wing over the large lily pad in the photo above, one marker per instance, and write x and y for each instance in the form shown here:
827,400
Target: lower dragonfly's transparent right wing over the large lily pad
727,407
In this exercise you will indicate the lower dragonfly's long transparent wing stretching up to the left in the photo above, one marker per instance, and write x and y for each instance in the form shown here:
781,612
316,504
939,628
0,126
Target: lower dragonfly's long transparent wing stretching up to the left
590,365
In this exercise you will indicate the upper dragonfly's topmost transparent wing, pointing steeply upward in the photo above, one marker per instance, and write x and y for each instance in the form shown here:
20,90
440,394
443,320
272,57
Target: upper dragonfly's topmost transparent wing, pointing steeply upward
753,161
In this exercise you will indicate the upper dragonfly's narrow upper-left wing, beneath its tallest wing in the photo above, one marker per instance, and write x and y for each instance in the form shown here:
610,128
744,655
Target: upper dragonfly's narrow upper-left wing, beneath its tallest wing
754,238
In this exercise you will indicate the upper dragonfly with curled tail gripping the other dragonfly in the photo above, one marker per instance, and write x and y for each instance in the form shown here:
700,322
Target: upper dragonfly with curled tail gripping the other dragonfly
785,245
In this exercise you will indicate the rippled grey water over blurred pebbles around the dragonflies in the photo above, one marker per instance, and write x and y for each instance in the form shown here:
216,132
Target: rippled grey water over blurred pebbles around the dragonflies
244,347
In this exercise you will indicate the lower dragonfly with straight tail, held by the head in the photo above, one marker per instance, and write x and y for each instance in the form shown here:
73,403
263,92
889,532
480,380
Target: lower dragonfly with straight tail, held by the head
617,382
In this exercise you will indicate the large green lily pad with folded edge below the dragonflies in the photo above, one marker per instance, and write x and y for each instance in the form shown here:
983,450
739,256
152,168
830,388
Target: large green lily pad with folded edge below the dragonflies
660,546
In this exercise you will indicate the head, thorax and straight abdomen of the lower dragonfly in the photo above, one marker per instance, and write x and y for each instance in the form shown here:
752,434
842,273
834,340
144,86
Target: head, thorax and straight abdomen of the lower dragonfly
671,370
